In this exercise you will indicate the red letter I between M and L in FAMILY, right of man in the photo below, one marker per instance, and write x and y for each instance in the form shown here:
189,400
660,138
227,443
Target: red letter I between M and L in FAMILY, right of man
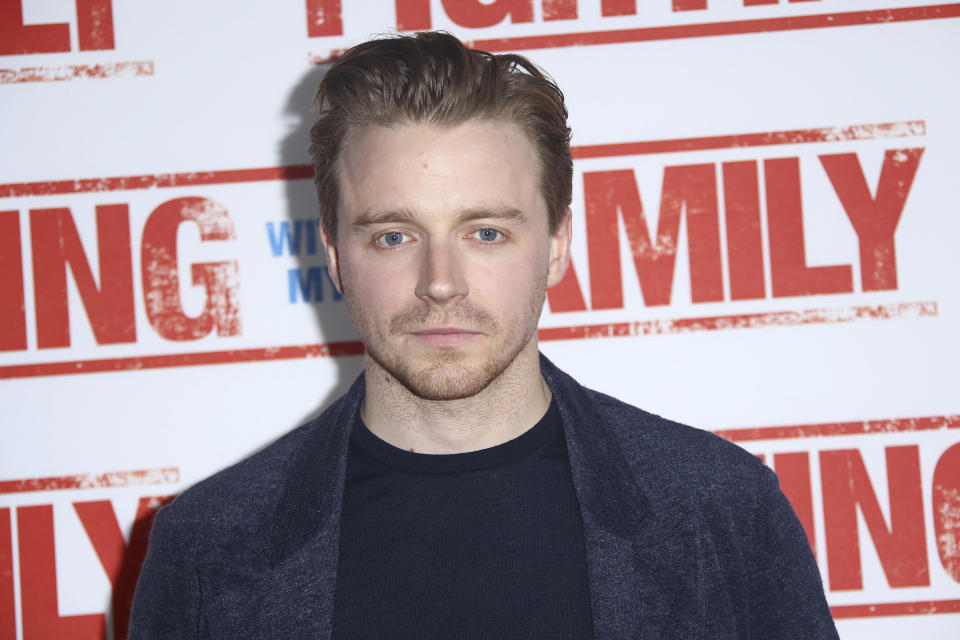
741,199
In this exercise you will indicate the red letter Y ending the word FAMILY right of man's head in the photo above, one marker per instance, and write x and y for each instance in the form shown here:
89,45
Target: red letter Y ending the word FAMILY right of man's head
874,219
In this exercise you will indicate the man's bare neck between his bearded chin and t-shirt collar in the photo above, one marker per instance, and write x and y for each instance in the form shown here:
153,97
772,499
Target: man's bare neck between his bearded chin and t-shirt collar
512,403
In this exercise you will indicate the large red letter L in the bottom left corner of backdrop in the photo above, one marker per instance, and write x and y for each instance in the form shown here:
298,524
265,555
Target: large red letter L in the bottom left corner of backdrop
38,582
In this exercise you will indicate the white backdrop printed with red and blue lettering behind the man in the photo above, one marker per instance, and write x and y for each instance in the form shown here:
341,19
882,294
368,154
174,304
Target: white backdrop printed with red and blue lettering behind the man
765,228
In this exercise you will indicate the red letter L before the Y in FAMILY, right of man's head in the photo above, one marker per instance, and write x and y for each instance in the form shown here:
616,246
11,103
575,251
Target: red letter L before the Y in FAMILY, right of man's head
789,272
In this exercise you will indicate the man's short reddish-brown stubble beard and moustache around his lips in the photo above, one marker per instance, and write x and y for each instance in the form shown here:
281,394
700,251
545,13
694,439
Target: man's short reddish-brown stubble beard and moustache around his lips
449,375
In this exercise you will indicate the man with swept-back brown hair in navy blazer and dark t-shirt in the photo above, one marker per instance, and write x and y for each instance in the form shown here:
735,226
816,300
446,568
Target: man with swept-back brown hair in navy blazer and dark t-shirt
465,487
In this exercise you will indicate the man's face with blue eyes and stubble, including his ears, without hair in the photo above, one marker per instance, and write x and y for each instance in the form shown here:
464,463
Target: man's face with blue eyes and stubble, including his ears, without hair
443,251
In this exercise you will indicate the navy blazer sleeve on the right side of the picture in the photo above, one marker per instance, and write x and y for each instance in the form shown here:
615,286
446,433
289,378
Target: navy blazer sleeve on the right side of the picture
788,601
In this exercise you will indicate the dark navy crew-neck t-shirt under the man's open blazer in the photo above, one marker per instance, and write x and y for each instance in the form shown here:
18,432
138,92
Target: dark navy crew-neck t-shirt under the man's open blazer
486,544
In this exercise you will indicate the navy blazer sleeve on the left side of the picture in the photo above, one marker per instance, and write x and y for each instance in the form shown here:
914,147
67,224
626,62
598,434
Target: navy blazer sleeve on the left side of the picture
166,602
